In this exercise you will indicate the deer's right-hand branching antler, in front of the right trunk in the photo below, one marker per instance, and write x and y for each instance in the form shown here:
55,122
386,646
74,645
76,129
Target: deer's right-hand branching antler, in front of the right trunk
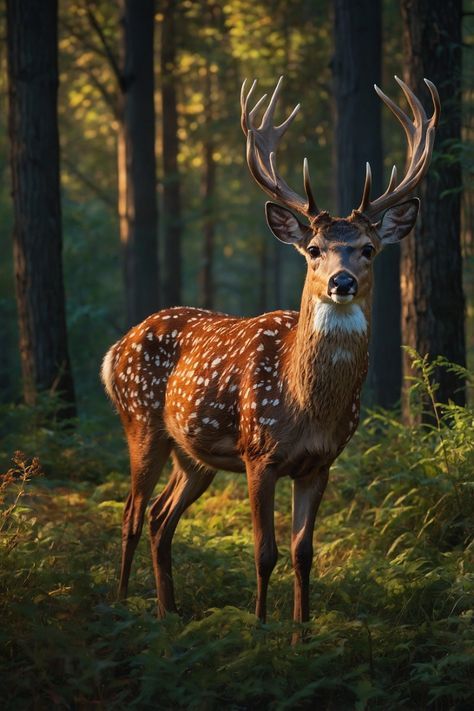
420,135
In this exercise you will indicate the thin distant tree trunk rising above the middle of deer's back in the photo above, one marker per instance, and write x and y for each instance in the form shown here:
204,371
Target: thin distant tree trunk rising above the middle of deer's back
208,191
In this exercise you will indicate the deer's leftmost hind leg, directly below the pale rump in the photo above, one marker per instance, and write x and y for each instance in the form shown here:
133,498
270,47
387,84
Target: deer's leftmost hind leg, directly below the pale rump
148,455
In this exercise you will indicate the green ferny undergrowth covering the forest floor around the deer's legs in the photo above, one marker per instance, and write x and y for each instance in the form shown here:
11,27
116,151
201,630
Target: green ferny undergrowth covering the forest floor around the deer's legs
392,588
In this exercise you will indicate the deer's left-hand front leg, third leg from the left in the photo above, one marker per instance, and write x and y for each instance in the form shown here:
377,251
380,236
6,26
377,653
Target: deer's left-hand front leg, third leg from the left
261,485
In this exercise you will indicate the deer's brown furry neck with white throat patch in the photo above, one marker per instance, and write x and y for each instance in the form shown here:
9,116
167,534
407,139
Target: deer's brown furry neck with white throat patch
328,360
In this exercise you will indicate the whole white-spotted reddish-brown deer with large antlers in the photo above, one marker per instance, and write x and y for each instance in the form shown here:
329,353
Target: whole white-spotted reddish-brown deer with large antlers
272,396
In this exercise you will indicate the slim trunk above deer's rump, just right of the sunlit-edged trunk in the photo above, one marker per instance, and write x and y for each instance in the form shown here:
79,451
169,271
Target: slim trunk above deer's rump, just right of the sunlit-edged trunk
171,178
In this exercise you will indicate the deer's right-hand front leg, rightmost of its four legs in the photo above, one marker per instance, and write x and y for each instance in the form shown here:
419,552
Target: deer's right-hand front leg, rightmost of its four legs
307,494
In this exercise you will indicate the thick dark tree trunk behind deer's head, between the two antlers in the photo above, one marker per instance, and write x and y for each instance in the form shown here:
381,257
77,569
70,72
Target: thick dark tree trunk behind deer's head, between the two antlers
357,66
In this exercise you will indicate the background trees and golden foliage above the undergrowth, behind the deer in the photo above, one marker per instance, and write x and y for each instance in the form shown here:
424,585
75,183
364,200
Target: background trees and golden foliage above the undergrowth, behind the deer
156,206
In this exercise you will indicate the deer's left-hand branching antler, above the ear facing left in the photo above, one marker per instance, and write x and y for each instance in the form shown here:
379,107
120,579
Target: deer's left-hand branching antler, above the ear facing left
262,143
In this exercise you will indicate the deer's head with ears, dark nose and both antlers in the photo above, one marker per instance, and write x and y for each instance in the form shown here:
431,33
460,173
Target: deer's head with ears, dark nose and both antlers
340,251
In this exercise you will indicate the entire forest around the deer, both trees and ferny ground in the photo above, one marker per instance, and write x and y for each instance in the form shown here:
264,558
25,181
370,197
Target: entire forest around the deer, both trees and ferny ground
126,190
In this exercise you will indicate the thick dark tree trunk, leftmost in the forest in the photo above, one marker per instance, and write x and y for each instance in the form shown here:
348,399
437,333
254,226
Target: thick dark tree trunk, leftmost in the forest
37,232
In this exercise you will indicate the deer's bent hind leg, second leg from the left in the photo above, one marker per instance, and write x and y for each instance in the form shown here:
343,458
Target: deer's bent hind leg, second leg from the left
187,482
